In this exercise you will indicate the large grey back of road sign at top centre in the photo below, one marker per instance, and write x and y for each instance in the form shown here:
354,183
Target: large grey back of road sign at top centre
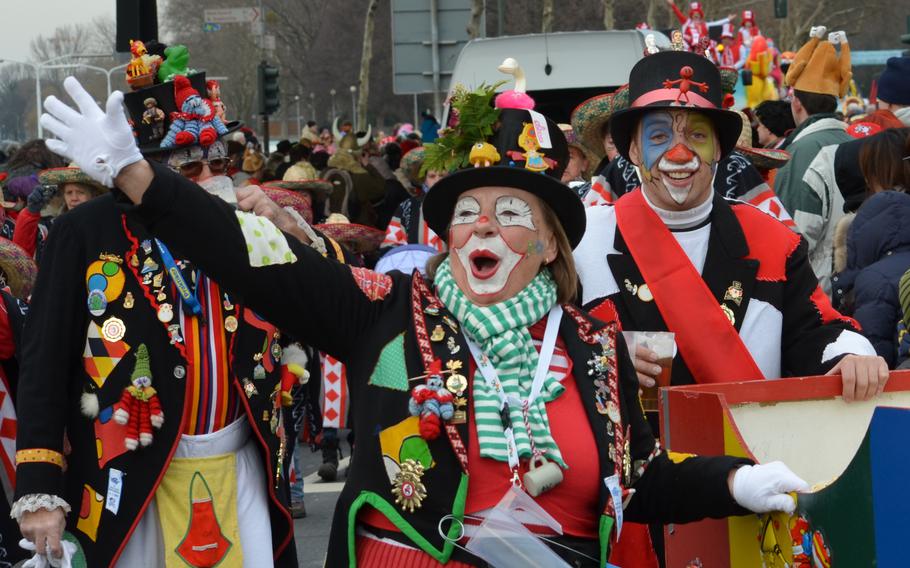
413,47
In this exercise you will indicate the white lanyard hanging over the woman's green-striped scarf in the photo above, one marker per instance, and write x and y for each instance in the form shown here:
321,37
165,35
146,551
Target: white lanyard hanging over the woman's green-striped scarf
491,377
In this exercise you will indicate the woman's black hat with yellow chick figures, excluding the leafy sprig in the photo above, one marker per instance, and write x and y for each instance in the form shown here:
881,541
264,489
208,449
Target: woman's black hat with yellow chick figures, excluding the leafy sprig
523,164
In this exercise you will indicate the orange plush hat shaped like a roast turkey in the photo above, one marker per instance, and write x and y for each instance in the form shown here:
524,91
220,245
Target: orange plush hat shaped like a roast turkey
817,67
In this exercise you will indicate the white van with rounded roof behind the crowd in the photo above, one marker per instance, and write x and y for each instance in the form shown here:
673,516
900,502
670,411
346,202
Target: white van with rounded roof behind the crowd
562,69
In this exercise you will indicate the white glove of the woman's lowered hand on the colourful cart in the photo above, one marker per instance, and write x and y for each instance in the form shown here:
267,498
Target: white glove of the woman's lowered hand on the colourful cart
765,487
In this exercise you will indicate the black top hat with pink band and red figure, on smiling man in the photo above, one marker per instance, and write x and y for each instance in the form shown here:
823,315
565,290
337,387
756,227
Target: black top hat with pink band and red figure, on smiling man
675,80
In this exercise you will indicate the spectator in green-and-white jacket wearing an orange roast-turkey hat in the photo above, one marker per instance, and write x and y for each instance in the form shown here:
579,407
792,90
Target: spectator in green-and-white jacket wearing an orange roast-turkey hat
818,77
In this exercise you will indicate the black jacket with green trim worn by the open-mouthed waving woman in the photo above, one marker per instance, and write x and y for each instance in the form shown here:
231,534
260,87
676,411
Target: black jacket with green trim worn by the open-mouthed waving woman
372,323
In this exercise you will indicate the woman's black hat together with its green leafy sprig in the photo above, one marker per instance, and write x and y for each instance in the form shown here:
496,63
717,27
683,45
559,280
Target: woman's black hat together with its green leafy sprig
525,163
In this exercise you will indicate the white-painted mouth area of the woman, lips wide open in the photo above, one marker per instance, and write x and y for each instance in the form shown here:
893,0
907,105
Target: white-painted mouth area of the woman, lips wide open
488,263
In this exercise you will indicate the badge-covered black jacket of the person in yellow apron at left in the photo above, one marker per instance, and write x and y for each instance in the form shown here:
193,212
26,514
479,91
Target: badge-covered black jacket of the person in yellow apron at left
64,357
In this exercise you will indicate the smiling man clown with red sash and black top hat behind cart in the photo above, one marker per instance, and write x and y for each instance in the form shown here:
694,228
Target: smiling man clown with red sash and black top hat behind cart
731,282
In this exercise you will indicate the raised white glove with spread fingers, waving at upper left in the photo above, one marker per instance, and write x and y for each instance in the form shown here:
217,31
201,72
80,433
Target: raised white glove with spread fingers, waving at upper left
101,143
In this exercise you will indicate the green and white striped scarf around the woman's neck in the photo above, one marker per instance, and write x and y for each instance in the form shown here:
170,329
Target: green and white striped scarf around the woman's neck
501,332
